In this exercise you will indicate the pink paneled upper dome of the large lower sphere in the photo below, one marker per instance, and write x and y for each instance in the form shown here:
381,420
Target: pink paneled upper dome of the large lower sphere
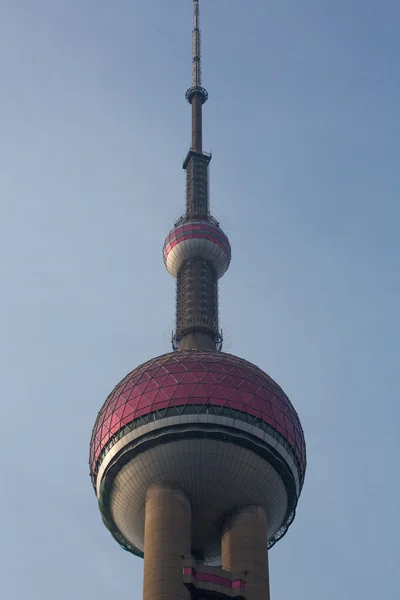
195,379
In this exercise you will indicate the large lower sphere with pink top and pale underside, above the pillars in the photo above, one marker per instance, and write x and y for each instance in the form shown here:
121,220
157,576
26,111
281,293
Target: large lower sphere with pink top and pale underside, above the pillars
211,423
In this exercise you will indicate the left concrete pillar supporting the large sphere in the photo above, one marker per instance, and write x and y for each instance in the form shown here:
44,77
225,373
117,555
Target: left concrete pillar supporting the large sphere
167,537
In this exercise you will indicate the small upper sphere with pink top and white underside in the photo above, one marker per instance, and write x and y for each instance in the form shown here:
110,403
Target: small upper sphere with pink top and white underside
197,239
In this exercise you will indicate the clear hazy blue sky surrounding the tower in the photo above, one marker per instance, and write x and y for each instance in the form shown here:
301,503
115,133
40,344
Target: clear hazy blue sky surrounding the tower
303,122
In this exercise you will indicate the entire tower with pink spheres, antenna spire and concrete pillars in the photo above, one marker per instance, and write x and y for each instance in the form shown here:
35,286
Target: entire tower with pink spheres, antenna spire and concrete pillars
197,457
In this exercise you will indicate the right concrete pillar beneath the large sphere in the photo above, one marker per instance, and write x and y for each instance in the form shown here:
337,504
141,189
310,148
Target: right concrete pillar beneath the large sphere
244,548
